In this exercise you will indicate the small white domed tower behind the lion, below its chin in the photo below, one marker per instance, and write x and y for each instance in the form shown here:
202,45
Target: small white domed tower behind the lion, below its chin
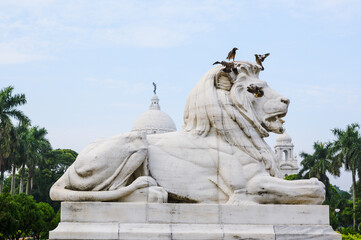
284,152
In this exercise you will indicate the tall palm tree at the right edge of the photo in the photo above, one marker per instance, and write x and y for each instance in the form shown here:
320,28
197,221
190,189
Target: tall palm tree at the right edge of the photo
347,148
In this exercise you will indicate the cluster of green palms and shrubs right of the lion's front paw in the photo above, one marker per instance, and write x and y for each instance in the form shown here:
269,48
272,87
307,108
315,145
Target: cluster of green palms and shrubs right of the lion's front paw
328,158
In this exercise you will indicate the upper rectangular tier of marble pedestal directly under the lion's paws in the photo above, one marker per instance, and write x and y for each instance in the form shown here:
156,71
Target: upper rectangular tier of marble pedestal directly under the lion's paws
194,213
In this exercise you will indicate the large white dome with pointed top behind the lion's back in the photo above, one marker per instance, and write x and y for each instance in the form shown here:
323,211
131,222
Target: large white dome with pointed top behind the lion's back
154,120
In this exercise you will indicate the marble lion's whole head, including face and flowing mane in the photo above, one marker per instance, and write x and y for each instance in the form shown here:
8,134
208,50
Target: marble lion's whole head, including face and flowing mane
239,107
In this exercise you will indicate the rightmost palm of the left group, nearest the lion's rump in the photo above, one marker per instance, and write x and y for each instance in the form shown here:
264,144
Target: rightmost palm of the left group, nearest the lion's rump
38,147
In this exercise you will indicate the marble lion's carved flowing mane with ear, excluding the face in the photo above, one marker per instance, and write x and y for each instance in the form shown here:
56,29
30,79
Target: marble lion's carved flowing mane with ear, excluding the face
221,104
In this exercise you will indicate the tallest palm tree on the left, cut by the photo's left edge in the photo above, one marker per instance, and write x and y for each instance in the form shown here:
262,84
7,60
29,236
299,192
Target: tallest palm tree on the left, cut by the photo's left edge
8,104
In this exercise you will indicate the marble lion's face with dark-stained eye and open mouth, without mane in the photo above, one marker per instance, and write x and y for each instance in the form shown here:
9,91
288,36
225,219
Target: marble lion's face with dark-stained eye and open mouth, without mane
269,106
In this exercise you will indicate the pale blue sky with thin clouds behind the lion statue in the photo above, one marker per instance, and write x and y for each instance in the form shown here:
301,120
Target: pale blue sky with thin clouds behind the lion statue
87,67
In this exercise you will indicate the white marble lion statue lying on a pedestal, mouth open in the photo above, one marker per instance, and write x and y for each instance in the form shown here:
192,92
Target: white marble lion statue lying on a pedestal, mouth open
219,156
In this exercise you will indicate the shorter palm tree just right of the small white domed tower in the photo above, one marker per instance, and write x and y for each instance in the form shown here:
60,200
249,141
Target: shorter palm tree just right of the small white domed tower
319,163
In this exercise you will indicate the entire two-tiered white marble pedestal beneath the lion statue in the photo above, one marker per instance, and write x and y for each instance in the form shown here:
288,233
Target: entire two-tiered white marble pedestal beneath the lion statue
100,220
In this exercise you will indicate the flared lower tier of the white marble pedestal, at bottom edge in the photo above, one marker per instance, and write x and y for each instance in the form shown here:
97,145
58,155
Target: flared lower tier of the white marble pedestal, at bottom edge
82,231
